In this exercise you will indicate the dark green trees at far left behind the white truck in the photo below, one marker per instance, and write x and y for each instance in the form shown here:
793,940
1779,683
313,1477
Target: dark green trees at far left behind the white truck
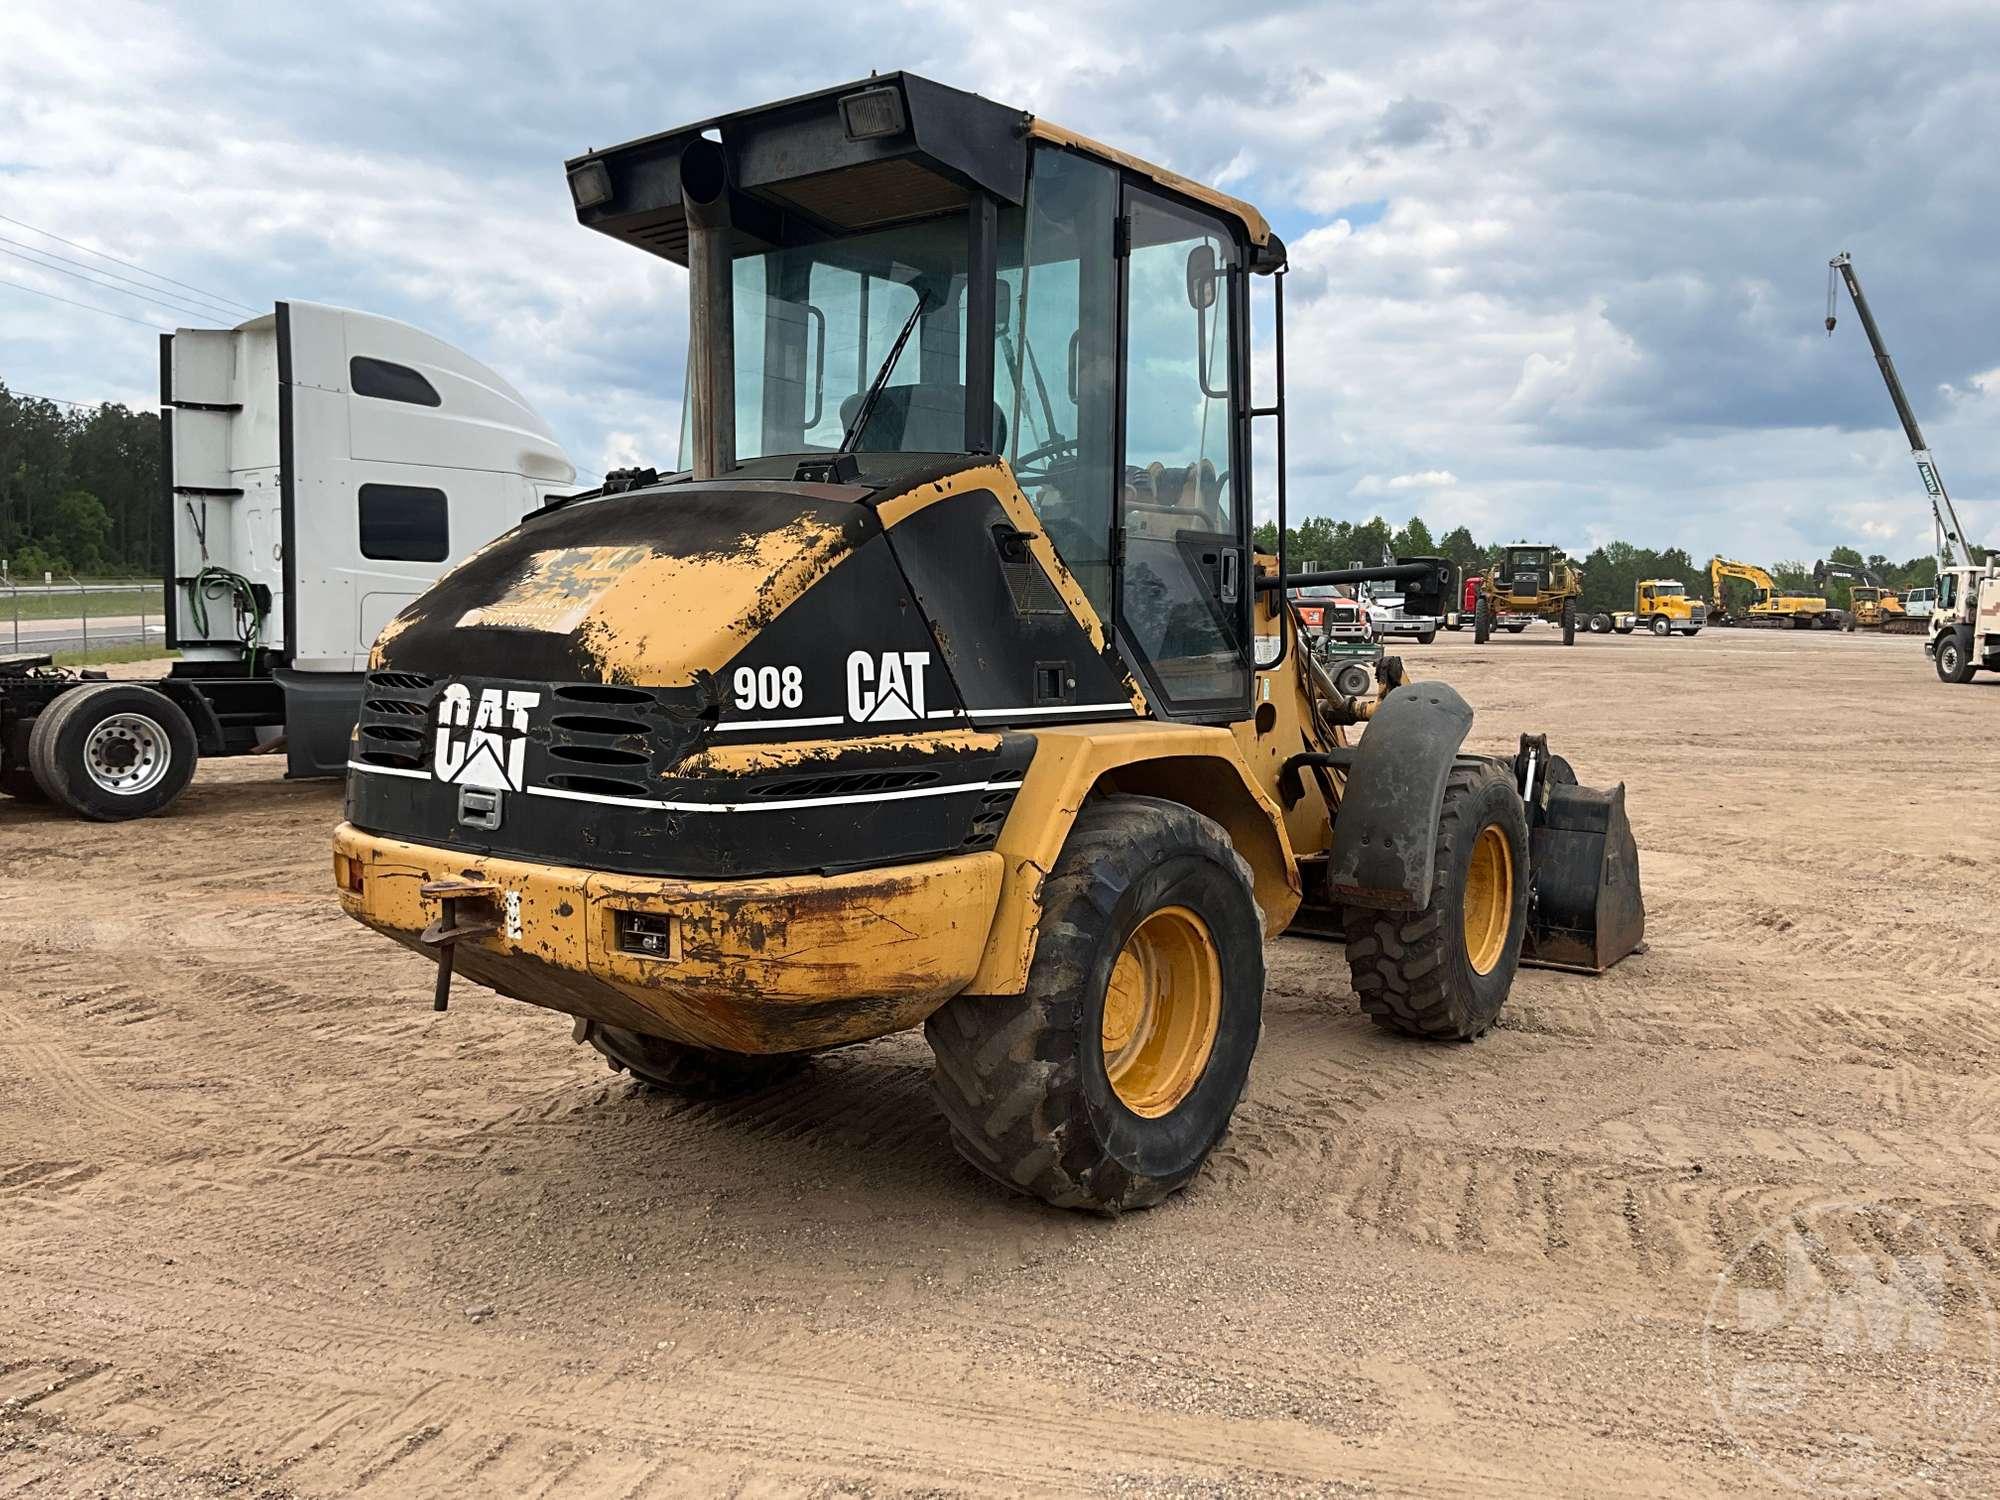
79,489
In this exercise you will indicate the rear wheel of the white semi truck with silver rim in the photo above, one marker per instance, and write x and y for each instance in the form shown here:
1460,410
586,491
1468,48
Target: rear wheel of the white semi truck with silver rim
113,751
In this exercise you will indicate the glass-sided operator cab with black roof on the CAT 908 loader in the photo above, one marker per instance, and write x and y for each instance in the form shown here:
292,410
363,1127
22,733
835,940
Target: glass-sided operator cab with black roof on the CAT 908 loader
931,277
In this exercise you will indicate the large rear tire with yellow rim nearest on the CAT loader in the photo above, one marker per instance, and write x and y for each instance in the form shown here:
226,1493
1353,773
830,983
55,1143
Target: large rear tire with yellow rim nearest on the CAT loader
1107,1083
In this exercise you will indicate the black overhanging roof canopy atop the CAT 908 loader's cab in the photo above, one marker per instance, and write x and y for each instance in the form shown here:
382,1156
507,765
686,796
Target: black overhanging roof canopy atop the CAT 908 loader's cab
861,157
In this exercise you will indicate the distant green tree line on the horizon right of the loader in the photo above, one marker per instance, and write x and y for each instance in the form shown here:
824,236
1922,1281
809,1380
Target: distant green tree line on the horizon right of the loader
1611,571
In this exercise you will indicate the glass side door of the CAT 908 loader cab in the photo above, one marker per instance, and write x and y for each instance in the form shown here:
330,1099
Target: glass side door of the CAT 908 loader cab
1183,579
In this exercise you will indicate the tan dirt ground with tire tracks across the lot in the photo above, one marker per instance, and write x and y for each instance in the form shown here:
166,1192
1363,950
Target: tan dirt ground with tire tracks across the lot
269,1227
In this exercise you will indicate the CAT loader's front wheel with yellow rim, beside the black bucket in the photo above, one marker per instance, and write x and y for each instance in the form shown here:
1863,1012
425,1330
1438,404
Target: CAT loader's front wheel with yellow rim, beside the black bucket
1447,971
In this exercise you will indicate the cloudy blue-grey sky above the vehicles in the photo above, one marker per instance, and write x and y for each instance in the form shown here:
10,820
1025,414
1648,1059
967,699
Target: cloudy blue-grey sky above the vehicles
1559,269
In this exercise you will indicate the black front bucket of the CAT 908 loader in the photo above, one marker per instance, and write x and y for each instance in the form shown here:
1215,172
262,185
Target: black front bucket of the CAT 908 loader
1585,911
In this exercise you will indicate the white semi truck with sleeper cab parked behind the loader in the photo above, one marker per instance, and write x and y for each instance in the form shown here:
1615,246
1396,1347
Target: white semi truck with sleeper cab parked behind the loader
321,469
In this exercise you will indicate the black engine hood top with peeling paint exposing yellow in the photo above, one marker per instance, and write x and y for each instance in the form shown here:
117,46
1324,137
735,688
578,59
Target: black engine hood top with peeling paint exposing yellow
649,589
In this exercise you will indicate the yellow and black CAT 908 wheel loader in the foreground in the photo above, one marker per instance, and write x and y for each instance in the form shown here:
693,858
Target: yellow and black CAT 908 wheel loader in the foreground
945,689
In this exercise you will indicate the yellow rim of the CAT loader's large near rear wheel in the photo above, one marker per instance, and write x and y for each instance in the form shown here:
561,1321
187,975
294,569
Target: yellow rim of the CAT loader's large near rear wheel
1161,1011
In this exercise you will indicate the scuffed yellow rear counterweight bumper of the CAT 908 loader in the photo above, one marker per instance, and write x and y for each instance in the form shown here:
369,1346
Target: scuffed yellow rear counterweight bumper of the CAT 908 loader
761,965
